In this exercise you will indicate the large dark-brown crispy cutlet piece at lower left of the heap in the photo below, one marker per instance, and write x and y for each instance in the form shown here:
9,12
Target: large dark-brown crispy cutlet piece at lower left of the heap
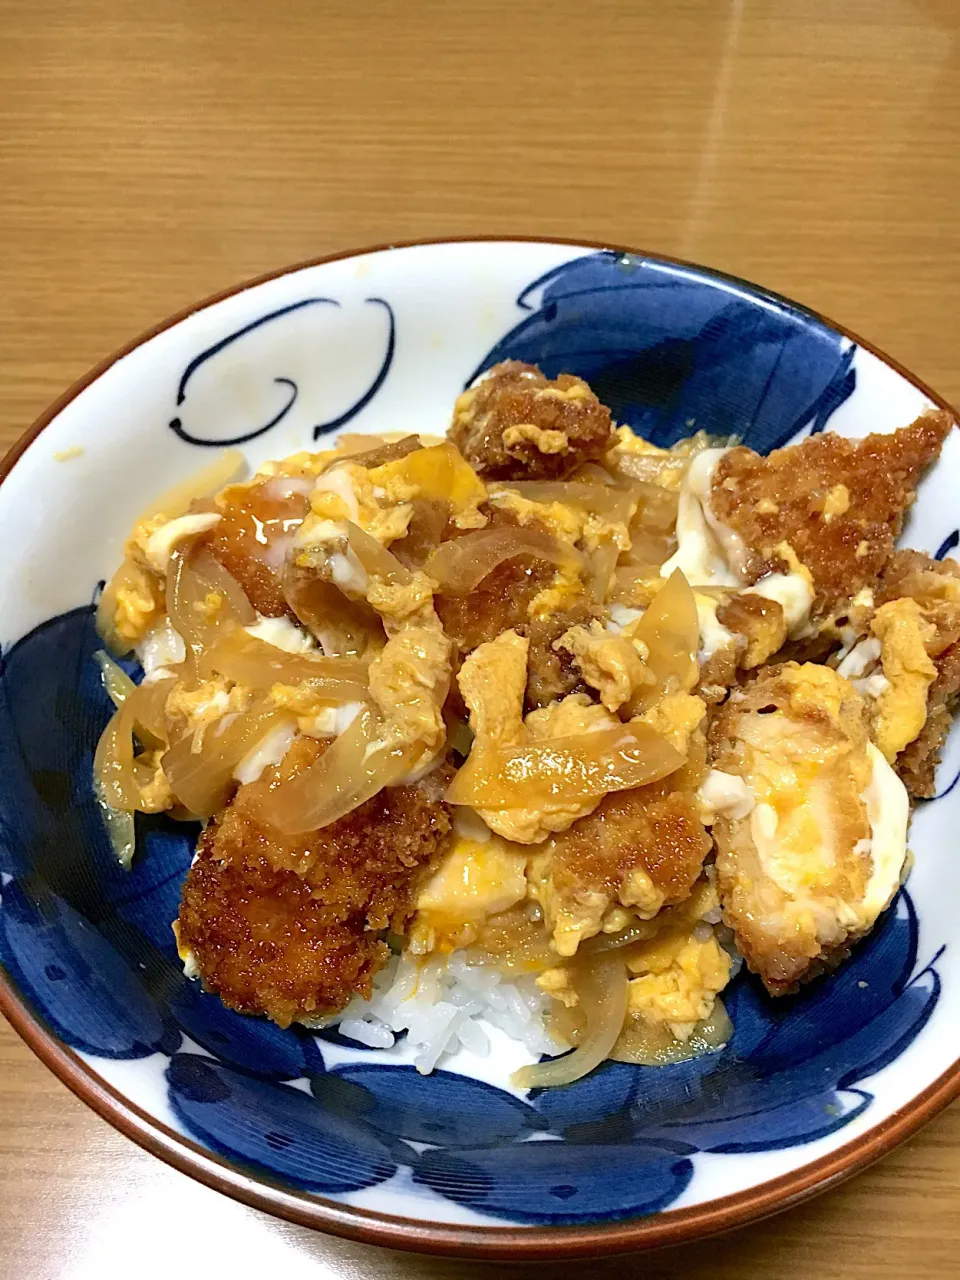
292,927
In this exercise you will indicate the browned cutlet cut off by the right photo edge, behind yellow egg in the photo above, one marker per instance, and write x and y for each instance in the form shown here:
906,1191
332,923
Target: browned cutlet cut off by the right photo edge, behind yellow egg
936,587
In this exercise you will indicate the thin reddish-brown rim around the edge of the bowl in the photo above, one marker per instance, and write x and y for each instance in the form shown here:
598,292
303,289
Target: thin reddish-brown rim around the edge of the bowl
367,1227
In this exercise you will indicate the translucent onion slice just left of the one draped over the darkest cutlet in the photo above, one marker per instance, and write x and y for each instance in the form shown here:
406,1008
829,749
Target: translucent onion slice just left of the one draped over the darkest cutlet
203,780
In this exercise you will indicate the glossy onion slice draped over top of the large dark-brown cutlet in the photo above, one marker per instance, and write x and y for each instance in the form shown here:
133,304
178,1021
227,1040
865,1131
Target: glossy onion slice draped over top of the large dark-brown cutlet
351,771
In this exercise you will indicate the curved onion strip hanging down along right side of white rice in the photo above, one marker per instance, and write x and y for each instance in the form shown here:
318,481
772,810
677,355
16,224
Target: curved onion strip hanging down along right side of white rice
602,988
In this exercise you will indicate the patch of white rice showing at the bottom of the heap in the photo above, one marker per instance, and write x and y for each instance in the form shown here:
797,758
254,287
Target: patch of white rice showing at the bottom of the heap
444,1004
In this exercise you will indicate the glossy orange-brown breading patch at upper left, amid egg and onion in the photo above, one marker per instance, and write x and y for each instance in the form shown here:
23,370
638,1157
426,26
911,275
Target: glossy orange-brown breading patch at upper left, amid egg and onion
254,516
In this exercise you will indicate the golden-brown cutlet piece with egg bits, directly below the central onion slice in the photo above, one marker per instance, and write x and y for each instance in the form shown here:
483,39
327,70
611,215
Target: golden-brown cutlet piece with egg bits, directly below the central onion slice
639,849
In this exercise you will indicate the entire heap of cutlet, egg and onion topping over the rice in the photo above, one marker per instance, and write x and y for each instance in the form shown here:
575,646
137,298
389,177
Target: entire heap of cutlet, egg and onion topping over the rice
542,693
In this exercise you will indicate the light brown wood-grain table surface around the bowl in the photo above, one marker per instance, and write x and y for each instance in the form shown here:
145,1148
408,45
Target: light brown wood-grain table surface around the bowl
153,153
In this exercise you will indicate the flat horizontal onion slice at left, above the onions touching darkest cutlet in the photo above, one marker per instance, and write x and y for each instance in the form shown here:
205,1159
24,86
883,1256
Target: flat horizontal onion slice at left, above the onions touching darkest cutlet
253,662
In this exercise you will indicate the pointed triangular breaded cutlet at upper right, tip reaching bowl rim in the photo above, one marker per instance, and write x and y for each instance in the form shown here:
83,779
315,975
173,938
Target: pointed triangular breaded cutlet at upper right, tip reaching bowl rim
839,504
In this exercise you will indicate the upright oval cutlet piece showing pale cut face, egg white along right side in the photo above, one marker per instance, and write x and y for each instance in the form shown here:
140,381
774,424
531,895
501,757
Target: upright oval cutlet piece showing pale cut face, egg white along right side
811,824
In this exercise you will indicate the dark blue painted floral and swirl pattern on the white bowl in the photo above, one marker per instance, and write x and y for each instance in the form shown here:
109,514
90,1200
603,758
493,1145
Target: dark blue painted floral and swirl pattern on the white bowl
89,948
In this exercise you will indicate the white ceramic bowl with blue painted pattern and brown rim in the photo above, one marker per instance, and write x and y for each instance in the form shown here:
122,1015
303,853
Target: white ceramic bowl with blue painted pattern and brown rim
317,1128
